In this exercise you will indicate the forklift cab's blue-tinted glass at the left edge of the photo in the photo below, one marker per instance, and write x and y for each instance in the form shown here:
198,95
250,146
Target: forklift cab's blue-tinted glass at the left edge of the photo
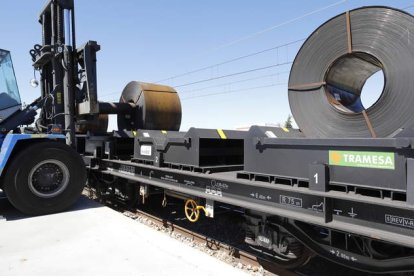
9,92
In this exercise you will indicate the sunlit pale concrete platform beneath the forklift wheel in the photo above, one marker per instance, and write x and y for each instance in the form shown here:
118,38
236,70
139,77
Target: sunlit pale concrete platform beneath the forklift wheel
95,240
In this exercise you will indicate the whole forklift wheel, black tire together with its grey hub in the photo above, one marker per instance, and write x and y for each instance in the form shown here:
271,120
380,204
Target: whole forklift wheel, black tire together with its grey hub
44,178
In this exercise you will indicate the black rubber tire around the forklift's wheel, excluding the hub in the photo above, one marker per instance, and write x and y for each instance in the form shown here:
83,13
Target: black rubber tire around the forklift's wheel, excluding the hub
15,183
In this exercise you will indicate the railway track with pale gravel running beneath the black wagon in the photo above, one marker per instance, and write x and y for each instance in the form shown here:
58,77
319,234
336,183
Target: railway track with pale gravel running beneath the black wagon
238,254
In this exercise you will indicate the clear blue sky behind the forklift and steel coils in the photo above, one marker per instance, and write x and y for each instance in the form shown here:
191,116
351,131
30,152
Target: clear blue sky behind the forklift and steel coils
163,40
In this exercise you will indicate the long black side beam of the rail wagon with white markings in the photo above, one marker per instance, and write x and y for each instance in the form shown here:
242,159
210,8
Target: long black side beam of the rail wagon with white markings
360,215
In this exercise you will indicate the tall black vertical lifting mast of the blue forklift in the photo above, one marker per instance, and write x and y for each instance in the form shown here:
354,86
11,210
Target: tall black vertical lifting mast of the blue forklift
68,74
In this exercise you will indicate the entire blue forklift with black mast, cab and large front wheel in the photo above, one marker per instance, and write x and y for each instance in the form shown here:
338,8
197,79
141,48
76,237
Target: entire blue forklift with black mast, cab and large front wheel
40,170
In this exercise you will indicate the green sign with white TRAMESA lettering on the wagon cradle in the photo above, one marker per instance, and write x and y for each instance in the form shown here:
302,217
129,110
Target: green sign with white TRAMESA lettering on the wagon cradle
362,159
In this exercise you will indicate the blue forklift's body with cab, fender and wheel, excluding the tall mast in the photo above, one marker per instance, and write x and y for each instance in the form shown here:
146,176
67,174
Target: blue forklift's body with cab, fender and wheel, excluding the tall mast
39,173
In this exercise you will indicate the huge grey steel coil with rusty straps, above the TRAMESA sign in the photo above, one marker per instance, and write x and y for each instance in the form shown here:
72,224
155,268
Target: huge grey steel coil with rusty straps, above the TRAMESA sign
332,66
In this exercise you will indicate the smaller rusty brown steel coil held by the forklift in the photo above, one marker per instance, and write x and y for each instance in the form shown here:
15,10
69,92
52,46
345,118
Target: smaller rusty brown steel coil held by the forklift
158,107
